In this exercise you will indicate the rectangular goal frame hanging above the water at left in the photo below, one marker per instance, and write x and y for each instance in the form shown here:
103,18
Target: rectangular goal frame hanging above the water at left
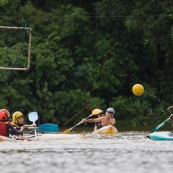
15,48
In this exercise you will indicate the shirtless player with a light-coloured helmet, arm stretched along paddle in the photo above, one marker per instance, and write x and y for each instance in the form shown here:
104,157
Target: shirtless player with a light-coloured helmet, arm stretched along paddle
104,120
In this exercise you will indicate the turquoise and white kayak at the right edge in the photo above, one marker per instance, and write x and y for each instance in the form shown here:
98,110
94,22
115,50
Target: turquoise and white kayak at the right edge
161,136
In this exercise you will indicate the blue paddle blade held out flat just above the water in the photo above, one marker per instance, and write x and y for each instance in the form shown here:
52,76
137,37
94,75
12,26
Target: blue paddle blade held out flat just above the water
48,127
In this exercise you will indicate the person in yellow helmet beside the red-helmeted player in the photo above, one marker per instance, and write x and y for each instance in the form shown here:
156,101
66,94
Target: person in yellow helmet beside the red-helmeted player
18,123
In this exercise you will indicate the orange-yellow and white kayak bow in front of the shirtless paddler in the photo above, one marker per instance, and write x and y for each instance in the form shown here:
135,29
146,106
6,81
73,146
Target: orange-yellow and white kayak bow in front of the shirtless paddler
107,130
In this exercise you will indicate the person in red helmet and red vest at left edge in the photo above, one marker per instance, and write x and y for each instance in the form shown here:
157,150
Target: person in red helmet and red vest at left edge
5,125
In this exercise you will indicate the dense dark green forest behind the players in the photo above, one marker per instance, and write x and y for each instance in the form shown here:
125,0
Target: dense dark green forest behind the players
89,54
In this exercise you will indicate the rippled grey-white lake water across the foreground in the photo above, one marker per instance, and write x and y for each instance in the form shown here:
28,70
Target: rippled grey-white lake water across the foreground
126,152
